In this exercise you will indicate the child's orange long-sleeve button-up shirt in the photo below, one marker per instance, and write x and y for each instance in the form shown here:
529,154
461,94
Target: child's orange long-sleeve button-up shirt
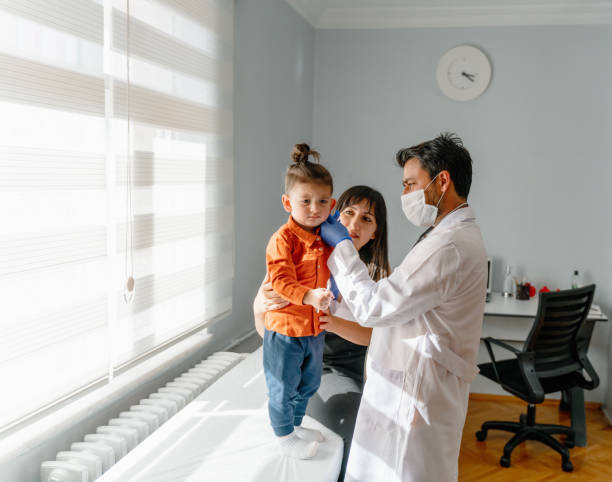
297,263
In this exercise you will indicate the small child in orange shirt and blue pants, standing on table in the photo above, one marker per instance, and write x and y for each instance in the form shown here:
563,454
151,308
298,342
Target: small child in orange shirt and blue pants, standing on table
296,259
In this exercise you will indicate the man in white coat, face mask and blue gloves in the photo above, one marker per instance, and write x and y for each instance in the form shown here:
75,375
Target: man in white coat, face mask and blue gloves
427,316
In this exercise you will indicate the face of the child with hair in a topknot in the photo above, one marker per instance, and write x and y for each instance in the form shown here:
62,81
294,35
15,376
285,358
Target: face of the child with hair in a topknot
309,204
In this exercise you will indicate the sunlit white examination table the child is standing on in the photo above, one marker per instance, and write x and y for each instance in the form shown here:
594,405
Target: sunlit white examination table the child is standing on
225,435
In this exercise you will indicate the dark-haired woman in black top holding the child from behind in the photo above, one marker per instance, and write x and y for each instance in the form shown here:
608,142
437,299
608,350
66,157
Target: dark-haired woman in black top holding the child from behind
364,213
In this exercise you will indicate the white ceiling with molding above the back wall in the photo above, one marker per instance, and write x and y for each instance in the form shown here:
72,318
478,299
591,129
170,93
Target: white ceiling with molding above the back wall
451,13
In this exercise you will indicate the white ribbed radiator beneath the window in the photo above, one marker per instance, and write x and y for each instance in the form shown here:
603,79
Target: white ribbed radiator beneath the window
88,460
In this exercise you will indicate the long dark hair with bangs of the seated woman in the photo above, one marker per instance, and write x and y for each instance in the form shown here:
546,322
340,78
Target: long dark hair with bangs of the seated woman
375,252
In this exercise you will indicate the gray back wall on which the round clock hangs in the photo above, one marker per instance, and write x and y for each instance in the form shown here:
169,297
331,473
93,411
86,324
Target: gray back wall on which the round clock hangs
540,137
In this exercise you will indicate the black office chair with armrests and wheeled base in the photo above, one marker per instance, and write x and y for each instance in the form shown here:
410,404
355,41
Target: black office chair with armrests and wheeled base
552,360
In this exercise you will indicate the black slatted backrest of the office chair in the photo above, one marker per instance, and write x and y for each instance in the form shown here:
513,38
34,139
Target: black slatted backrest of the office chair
553,337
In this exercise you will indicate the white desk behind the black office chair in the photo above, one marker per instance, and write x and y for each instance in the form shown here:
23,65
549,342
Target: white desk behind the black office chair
511,320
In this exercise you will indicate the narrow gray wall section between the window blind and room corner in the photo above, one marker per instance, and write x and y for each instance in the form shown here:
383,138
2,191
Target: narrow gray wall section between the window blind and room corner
273,109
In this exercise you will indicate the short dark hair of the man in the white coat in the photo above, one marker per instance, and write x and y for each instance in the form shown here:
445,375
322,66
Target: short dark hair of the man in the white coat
444,153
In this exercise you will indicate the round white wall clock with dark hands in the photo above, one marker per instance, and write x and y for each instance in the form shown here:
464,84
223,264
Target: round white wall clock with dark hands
463,73
